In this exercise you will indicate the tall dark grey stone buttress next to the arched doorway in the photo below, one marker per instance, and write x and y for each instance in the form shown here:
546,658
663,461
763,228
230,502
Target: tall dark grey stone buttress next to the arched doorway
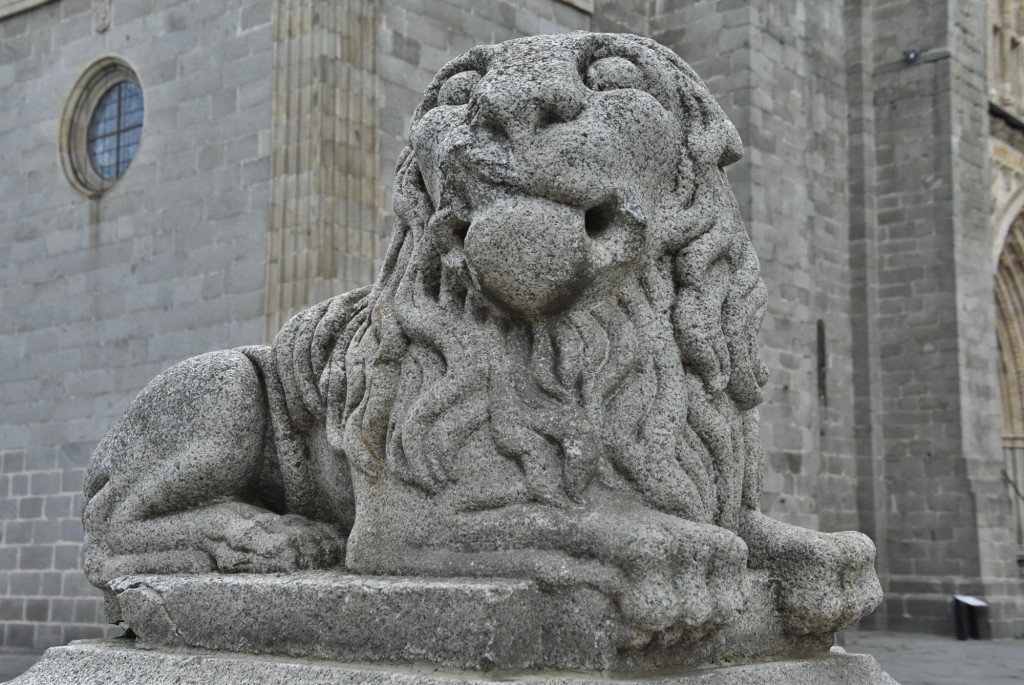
926,341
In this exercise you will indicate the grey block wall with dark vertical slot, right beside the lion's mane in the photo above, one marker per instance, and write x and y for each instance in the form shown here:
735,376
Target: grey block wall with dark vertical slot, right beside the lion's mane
779,70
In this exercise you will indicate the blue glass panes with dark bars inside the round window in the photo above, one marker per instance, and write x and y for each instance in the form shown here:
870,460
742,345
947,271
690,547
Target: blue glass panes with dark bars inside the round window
115,131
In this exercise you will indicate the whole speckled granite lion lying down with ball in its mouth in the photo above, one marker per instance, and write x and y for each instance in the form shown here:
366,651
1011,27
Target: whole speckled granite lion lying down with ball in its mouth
556,376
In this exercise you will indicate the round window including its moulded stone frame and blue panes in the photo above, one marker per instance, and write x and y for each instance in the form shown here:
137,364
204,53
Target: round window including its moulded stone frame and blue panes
102,127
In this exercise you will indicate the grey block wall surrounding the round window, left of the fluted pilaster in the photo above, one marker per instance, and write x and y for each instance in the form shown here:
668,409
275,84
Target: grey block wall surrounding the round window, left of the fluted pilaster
99,296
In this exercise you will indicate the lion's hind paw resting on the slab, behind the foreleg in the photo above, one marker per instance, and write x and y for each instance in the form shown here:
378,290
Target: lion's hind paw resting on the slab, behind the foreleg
267,543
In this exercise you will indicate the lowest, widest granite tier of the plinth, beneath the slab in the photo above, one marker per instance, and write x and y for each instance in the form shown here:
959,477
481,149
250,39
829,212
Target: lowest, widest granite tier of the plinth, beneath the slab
119,663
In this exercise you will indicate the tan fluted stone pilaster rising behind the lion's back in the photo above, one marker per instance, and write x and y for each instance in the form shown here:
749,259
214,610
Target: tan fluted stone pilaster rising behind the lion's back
325,234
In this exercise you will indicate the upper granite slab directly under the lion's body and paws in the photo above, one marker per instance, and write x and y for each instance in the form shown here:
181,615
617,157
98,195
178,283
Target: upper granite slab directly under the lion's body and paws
486,625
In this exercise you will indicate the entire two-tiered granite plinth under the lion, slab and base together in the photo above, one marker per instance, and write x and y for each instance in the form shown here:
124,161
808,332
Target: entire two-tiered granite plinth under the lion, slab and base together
333,629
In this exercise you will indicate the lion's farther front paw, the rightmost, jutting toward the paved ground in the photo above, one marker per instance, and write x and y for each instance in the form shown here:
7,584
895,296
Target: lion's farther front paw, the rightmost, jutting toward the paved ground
826,582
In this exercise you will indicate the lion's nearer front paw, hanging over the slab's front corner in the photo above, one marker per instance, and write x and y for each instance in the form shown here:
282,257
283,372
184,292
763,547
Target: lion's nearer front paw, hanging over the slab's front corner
684,580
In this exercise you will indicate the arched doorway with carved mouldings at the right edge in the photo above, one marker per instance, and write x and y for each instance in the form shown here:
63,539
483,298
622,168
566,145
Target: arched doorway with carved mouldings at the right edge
1010,333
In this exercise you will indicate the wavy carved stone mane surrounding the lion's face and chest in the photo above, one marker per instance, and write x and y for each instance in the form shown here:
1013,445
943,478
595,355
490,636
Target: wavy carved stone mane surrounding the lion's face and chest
678,378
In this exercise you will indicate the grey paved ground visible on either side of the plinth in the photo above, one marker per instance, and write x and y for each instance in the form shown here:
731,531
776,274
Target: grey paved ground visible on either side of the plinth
912,660
